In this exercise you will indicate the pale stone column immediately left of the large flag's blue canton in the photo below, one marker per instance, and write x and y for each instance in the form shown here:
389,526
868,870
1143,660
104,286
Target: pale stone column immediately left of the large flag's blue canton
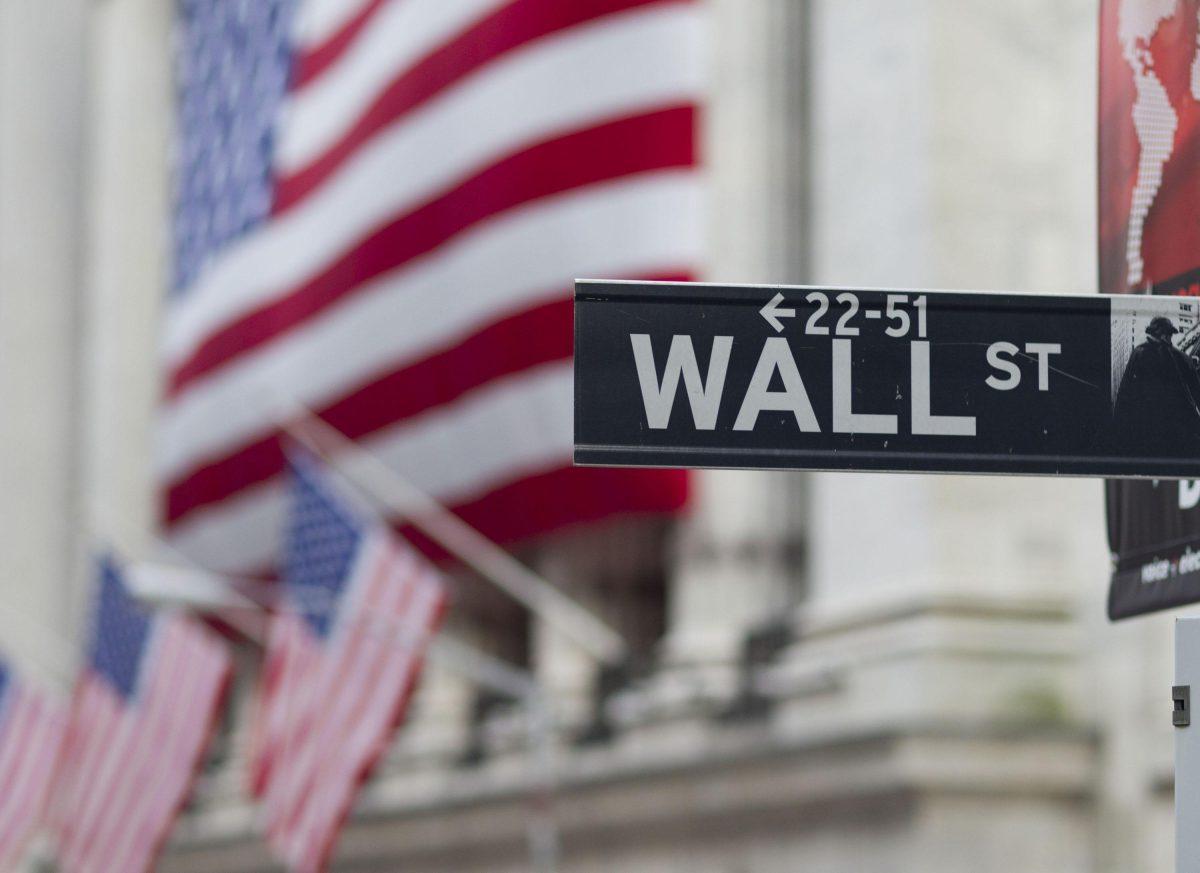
129,234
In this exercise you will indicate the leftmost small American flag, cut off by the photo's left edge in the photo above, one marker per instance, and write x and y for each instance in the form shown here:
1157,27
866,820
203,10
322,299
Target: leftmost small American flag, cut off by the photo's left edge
32,728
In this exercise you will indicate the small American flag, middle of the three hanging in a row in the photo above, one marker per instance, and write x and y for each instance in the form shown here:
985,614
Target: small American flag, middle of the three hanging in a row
141,719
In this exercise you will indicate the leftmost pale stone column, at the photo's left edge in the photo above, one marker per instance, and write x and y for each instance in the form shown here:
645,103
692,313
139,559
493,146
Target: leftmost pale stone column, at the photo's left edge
44,57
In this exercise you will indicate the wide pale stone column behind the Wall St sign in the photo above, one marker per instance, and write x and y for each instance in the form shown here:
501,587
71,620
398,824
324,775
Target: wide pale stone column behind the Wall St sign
953,147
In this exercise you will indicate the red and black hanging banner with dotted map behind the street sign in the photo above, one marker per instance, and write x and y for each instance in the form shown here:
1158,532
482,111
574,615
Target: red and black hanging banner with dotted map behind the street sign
1150,244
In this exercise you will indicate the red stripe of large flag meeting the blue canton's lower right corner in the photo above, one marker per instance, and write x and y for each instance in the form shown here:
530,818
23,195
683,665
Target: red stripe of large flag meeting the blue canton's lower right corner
509,28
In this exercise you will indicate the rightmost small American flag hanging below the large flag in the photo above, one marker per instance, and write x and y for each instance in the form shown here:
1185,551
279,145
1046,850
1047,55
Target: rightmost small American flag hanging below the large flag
359,607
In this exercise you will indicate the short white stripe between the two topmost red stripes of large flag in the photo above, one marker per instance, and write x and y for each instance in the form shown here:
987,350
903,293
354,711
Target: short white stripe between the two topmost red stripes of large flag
400,34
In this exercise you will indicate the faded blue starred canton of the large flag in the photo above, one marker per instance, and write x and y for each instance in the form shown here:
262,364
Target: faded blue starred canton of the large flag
233,62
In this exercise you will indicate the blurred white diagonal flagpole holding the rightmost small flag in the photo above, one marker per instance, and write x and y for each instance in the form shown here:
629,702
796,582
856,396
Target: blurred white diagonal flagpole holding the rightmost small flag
458,538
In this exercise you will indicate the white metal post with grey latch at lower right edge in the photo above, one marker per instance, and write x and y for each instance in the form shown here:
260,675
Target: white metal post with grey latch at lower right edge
1187,746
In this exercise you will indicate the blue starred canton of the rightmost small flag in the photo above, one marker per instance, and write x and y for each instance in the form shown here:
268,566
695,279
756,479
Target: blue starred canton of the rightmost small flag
321,541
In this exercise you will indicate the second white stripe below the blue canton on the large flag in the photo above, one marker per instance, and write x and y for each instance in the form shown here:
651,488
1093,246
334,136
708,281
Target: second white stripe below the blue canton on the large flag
507,266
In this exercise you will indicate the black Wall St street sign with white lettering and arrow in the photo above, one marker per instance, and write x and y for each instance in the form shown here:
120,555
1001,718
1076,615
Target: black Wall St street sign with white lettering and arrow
892,381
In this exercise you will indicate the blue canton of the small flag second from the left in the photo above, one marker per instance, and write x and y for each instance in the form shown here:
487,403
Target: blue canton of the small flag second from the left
119,635
